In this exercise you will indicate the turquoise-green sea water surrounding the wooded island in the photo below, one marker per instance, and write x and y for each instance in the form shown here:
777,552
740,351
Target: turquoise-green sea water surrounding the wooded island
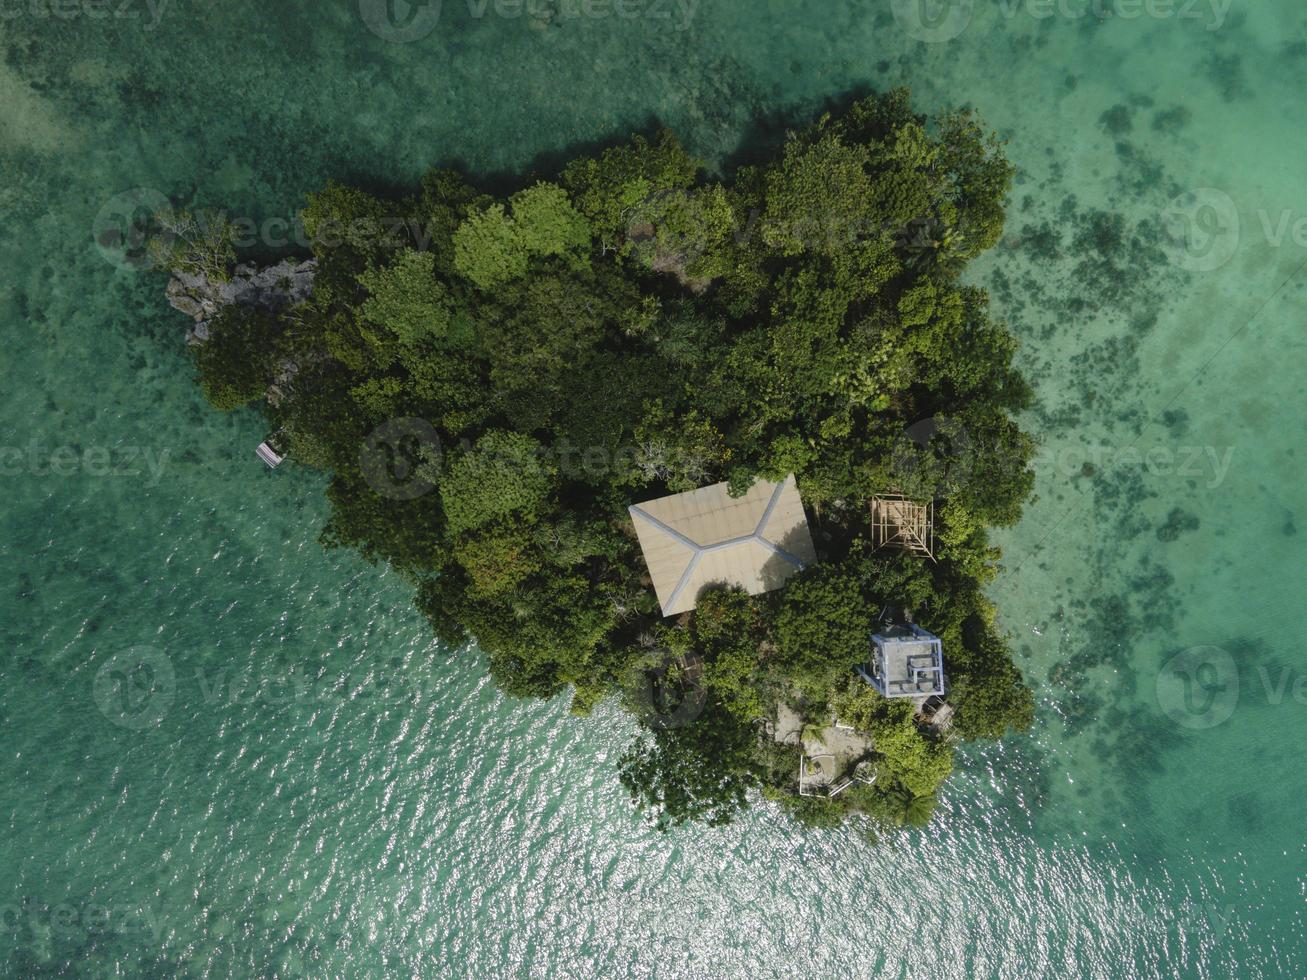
320,791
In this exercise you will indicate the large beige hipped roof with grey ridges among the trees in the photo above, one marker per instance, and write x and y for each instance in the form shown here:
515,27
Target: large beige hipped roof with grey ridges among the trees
704,536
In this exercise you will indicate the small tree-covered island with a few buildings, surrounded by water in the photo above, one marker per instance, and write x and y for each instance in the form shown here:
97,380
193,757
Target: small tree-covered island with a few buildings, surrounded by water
727,451
